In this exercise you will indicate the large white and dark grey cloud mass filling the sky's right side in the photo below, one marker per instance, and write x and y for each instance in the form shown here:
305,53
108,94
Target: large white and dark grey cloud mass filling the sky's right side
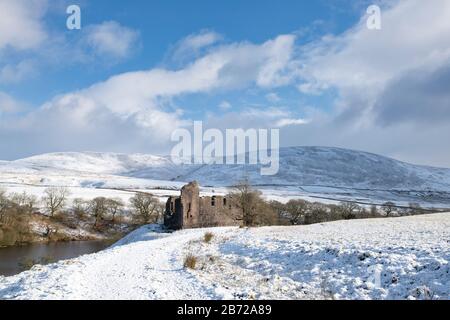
391,85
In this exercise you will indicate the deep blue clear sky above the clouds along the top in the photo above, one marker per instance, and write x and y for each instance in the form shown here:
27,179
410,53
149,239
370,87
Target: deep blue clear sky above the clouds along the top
162,24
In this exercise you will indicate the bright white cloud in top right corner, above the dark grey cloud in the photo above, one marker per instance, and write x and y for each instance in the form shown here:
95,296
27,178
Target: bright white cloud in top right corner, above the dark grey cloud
361,63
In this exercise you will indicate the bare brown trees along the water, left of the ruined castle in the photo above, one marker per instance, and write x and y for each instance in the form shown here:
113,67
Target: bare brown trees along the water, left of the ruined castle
101,214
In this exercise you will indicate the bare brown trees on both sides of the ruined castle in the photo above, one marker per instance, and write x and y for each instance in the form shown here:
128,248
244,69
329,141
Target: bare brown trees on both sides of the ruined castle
102,213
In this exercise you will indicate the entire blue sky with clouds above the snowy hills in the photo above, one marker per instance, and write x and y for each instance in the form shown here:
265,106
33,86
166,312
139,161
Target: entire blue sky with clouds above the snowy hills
137,70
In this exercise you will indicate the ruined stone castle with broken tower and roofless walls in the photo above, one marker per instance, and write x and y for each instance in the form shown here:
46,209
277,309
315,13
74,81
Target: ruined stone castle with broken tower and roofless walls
189,210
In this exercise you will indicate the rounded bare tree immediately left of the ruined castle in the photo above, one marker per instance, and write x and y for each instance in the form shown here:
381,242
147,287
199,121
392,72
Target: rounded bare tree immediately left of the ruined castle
147,207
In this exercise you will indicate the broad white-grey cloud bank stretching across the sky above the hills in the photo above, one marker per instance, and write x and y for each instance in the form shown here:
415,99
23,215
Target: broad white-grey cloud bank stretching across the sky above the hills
389,90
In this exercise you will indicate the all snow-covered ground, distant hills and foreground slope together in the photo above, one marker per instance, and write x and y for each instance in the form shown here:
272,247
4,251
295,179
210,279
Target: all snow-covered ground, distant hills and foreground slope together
397,258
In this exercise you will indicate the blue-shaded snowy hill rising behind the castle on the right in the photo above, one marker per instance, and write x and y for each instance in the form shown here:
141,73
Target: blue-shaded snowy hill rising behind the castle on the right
316,166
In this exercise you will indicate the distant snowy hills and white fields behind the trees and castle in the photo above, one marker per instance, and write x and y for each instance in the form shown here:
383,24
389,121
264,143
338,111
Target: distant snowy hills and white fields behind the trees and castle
310,173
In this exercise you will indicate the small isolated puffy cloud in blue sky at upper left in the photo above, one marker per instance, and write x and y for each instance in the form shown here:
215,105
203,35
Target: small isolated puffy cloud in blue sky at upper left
111,39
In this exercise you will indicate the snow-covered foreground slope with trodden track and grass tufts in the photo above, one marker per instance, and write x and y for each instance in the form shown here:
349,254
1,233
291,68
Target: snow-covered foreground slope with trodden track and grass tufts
396,258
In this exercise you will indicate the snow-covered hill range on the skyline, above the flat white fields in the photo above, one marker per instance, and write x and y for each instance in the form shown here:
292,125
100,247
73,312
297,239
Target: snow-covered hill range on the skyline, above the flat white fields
299,166
